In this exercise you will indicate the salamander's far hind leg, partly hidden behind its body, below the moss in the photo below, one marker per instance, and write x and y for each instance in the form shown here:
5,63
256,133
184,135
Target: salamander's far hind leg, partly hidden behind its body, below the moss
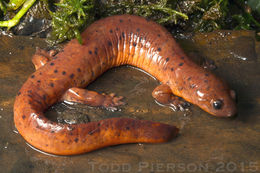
41,57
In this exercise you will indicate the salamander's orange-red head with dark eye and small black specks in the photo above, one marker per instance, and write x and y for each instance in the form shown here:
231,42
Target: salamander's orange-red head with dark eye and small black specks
208,92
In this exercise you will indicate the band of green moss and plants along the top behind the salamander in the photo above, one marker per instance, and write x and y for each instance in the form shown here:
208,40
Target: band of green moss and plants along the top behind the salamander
70,17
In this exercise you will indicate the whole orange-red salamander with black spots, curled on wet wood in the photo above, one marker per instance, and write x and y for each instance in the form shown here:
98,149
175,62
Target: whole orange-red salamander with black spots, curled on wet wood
107,43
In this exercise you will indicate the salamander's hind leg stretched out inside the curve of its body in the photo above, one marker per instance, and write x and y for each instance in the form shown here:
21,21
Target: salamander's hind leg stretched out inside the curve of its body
92,98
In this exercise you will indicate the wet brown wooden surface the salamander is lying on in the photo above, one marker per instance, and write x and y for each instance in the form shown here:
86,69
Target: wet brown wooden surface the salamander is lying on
205,143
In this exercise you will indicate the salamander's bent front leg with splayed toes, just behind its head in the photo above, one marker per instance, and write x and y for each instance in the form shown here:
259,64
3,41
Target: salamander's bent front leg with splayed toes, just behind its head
163,95
